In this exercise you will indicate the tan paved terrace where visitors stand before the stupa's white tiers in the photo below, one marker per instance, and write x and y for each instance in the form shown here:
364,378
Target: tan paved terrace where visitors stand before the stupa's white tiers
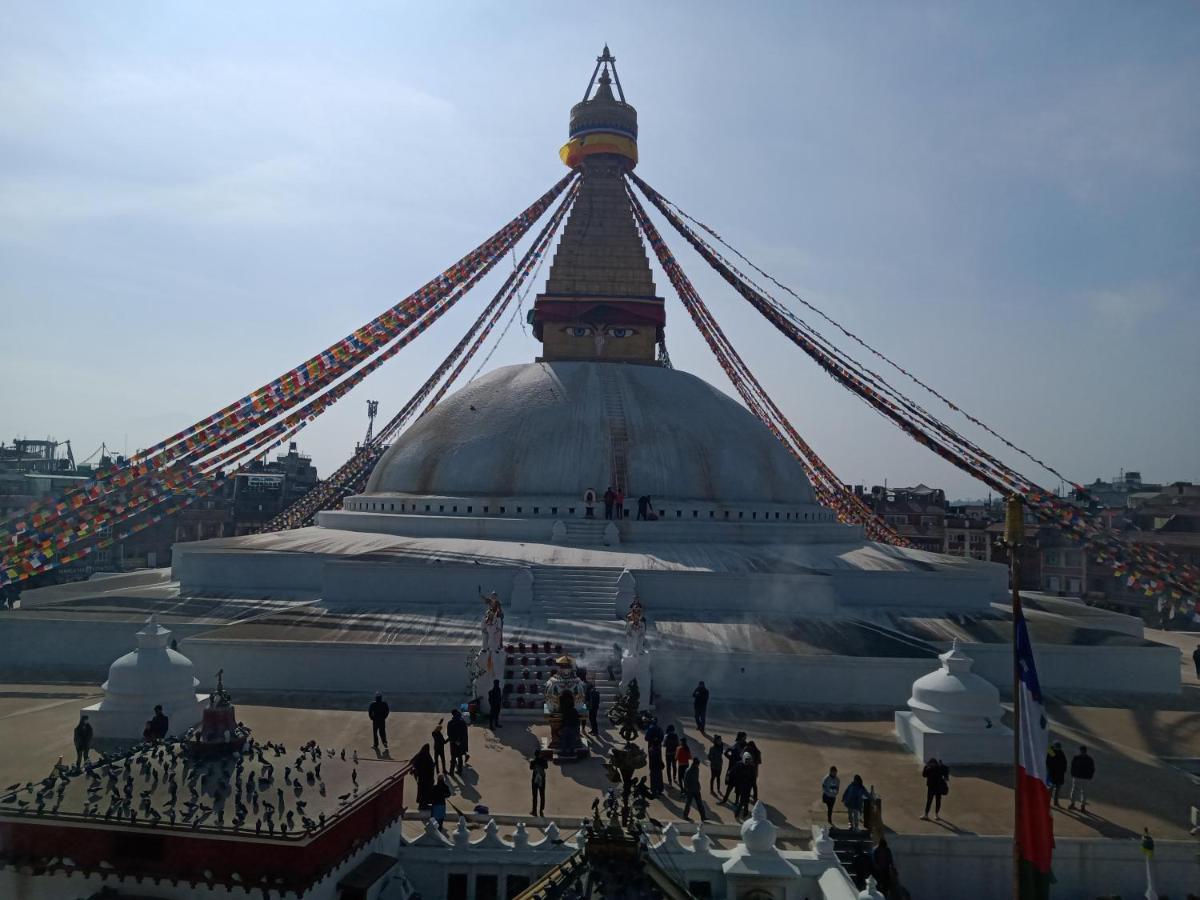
1143,755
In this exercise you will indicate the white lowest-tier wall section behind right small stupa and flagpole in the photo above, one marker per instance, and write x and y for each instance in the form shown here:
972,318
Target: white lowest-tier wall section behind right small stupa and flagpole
1138,670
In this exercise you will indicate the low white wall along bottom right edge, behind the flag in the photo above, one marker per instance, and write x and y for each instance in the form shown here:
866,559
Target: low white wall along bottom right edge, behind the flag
981,867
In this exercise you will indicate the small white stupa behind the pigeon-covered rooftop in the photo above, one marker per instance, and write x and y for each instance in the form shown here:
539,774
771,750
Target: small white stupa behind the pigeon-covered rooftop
153,675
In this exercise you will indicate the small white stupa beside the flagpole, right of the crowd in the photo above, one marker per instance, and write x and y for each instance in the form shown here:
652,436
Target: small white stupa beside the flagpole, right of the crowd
956,716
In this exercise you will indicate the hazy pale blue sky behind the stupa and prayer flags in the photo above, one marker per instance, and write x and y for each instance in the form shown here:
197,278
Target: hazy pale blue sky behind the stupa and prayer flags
1004,197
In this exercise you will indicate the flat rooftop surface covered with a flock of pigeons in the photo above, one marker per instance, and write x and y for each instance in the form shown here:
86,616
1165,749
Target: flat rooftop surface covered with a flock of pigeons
263,789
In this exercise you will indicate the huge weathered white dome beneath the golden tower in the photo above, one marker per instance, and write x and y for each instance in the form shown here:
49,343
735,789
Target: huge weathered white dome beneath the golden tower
547,429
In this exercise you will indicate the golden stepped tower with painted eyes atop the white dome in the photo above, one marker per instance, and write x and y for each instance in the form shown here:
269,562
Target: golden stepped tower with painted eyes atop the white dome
599,302
